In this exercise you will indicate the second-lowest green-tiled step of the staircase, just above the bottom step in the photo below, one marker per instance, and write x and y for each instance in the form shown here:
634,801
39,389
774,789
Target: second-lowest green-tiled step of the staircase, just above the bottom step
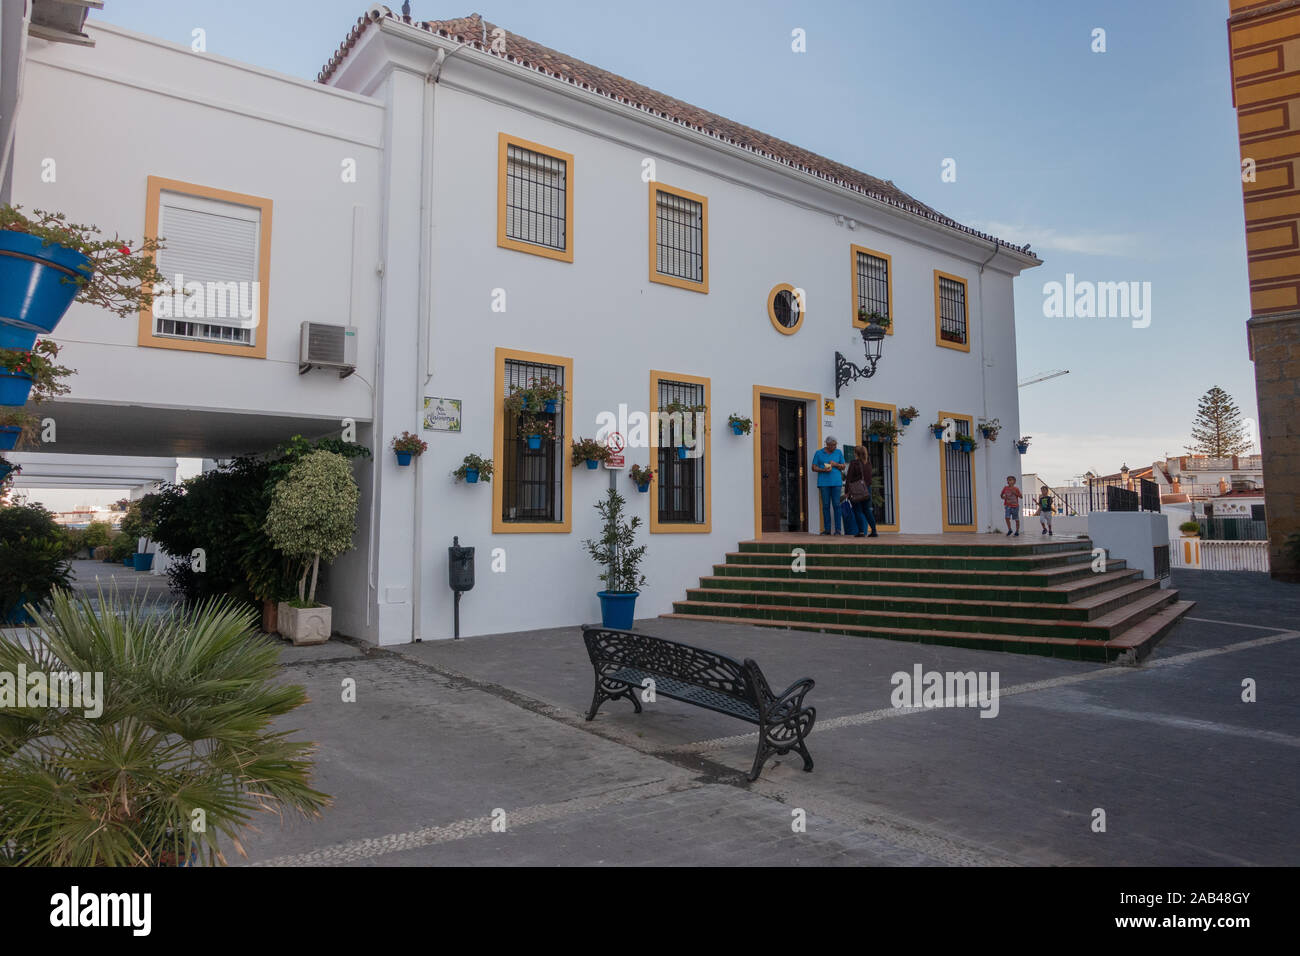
837,612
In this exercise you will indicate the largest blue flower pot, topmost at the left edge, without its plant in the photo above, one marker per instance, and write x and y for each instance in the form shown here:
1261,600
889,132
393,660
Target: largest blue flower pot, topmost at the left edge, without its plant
33,289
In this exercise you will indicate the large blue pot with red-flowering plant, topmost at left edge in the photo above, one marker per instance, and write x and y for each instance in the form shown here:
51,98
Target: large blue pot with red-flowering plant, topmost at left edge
47,263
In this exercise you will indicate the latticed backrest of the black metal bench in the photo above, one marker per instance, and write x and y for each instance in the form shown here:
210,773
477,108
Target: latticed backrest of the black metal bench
613,650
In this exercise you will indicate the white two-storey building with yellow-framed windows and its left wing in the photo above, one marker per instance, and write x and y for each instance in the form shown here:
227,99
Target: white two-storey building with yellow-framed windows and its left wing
482,211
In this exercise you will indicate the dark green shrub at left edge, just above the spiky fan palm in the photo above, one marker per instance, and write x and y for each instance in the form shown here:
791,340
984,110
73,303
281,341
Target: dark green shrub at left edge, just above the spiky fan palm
32,560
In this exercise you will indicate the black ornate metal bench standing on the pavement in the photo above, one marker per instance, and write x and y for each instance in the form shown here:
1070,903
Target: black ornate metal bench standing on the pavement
623,660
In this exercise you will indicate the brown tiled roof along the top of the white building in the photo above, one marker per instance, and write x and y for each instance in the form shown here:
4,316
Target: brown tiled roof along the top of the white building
478,33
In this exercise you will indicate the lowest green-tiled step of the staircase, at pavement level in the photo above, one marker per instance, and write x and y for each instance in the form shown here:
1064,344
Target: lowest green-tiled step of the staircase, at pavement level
1138,641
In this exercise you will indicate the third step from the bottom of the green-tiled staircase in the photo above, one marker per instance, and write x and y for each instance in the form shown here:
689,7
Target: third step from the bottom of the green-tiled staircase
964,605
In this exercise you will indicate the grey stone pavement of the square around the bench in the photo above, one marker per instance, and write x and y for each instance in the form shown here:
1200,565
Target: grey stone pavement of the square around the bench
447,738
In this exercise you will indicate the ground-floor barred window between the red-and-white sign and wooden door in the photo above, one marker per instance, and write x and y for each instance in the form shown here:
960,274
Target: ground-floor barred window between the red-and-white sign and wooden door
682,481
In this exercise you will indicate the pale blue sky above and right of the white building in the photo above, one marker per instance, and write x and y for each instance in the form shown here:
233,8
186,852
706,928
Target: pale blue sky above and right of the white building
1116,167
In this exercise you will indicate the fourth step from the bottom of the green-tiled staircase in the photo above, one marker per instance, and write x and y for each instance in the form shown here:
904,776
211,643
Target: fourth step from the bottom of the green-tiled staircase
1061,594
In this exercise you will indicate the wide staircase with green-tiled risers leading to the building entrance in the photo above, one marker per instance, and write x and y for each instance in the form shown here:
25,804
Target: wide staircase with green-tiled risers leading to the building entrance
1028,598
